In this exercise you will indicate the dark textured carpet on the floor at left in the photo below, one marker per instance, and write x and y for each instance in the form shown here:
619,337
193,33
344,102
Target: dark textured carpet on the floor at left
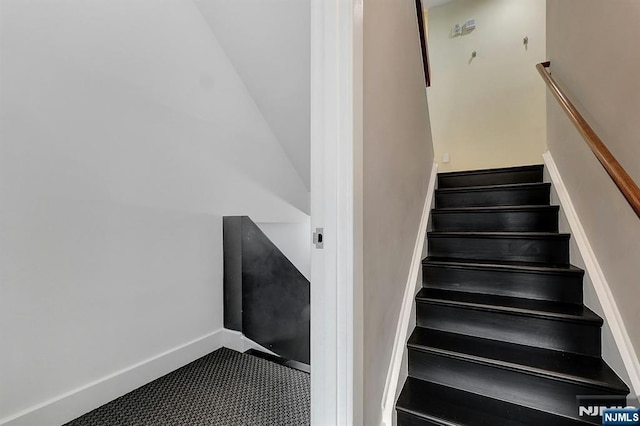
223,388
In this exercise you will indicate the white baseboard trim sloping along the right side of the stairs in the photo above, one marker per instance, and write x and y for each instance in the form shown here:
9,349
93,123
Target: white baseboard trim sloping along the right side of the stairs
600,284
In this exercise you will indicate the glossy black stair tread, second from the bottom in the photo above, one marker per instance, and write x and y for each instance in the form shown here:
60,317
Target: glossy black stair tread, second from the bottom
574,368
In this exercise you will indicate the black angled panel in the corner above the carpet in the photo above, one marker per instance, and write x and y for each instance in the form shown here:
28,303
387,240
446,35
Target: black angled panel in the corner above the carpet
265,296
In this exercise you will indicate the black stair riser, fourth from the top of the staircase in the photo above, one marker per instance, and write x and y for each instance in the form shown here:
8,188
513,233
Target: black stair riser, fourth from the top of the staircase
553,250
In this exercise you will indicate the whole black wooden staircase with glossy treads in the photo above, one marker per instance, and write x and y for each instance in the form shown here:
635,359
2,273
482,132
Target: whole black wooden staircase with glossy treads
502,336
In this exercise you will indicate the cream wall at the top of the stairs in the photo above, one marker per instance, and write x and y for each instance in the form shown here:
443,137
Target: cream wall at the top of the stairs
488,111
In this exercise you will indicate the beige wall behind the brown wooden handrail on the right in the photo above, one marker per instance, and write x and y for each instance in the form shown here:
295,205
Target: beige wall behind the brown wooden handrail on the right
592,58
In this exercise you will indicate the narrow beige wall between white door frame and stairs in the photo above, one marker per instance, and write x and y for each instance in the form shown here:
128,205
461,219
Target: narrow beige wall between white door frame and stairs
397,163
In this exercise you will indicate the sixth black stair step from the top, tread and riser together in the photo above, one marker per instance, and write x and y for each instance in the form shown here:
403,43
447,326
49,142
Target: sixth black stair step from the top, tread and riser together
537,323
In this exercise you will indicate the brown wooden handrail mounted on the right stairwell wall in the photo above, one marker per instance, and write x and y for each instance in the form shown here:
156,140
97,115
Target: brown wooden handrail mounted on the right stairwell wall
620,177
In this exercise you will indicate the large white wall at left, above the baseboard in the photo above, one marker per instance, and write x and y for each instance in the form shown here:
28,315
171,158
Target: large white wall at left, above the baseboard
126,134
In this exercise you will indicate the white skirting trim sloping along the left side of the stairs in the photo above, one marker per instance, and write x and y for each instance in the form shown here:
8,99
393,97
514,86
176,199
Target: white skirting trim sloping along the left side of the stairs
403,326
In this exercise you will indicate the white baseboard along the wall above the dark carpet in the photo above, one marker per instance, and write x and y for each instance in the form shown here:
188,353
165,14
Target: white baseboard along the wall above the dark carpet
72,404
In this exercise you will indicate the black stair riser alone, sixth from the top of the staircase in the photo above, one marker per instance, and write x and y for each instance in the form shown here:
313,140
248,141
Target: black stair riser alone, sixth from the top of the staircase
547,333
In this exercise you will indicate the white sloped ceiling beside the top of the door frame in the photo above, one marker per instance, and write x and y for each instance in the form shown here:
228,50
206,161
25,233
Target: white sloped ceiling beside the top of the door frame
268,41
